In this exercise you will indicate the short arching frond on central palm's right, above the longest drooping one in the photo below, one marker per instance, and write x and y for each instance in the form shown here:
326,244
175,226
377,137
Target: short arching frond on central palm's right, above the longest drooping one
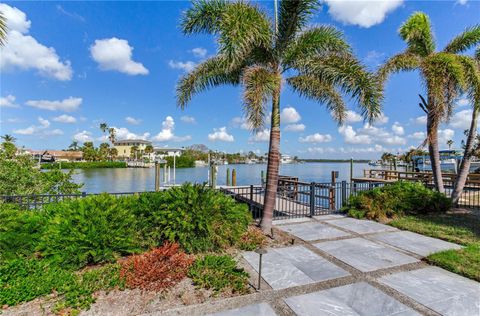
318,40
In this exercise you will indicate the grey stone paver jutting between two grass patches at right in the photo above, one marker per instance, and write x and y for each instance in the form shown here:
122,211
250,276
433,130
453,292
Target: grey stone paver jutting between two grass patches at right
416,243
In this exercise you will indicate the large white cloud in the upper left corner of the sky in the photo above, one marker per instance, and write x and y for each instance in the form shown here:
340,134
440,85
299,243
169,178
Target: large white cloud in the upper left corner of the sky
25,52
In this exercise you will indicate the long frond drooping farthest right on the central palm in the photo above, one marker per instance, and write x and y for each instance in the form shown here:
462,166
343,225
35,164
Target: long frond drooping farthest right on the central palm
349,75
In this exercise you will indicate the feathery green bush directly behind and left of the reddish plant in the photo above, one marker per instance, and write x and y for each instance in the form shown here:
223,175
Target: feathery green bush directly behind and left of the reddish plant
90,230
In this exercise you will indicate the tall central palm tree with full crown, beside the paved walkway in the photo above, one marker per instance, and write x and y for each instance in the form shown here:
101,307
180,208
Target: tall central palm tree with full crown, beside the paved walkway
261,55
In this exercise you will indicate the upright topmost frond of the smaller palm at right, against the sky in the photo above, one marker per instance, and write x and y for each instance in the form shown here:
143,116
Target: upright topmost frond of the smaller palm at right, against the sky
417,32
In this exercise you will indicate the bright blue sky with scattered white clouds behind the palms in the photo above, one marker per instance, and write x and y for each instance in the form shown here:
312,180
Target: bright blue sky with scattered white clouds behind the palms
68,66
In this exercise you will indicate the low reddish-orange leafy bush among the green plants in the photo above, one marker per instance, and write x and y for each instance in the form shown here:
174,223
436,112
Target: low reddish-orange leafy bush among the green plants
157,269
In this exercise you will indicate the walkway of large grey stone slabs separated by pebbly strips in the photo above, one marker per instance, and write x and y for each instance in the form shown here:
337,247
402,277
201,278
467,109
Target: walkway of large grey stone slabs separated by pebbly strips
345,266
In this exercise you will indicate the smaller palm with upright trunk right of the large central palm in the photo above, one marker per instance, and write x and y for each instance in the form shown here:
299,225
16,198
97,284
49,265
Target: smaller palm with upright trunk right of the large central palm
445,73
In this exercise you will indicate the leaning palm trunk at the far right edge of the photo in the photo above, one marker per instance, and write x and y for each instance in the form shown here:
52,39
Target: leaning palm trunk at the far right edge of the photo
467,158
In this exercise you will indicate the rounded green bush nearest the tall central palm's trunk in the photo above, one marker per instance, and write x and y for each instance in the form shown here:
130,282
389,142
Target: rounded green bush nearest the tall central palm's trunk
195,216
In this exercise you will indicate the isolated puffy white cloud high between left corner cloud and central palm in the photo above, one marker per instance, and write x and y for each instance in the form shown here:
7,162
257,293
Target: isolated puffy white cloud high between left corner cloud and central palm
116,54
